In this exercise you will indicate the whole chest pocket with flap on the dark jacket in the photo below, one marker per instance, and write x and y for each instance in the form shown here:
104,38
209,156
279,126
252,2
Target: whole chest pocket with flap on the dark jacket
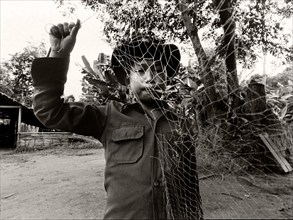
128,144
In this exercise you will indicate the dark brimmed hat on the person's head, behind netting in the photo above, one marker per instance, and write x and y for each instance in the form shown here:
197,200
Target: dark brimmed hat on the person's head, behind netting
125,55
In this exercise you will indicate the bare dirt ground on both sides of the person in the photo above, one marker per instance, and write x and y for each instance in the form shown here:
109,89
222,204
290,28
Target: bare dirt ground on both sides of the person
68,184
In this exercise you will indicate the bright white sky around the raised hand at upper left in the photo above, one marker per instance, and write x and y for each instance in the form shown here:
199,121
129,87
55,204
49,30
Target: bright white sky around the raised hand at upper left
24,21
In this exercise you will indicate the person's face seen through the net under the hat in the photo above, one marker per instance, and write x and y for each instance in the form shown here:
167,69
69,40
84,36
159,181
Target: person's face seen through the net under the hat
148,79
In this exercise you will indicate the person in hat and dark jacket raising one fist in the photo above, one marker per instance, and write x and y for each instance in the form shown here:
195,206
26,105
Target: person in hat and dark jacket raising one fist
134,135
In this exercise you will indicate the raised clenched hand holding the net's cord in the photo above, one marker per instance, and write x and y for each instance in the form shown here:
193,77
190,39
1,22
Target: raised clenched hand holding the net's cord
63,38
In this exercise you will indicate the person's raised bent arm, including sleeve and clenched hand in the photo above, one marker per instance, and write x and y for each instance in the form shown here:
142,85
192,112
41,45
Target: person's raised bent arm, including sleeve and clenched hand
49,76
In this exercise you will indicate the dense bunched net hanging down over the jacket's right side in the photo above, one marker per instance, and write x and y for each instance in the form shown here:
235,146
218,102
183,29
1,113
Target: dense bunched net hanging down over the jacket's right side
178,161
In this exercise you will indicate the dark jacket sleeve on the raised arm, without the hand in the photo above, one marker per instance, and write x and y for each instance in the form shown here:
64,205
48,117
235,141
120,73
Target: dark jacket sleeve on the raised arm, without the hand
49,77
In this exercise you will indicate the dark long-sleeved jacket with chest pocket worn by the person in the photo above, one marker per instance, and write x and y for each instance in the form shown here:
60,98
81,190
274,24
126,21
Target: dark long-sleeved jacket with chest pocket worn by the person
134,180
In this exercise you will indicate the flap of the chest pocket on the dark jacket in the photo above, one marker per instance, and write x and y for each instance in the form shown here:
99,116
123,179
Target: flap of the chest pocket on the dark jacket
127,133
